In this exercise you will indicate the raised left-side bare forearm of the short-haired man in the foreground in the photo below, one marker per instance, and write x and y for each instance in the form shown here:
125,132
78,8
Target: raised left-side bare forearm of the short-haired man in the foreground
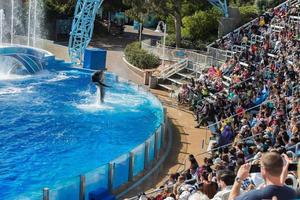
242,174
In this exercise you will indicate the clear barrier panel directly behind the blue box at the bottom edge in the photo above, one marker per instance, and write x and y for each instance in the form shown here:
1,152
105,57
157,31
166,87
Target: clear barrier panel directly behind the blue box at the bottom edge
96,179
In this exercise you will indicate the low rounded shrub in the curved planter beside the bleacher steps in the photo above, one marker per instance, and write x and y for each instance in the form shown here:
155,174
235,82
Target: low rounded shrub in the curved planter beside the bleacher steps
139,57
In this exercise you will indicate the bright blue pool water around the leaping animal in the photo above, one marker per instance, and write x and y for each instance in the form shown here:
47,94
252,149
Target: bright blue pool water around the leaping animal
51,127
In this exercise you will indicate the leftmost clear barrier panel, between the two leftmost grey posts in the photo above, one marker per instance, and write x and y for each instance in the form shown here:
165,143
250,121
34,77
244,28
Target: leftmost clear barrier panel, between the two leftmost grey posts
68,189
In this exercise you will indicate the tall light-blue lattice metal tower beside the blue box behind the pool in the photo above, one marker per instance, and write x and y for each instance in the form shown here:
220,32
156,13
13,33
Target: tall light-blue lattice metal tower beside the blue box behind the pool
82,28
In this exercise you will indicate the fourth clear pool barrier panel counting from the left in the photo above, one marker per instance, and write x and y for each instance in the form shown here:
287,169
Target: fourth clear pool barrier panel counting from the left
139,159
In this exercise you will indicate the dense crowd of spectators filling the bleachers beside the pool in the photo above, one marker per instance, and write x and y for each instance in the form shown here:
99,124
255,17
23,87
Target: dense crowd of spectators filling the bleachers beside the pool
255,118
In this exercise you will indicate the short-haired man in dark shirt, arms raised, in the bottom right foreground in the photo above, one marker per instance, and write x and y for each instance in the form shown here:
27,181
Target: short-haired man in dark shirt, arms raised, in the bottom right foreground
273,171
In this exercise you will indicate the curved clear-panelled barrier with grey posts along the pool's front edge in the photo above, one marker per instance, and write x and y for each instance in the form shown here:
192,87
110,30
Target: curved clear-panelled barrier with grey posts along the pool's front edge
113,175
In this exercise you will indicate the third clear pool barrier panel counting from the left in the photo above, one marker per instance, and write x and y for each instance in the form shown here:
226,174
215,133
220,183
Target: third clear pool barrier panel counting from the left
121,171
